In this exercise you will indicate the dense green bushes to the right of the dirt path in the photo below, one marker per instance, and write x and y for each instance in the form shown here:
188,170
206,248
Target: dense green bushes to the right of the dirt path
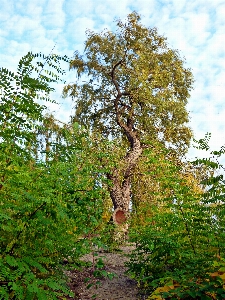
180,252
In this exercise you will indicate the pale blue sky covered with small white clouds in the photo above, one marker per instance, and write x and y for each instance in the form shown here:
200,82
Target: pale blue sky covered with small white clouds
194,27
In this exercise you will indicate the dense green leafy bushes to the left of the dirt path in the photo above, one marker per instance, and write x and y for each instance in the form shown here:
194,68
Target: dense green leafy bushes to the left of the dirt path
50,208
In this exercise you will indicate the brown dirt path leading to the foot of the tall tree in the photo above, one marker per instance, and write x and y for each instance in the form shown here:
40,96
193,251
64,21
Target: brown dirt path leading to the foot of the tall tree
120,287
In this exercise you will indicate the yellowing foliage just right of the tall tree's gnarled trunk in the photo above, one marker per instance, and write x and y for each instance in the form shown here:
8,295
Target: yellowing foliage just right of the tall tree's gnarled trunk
147,181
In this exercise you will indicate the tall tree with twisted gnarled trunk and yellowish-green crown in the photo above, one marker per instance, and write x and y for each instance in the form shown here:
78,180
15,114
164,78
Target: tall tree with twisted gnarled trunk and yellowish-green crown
136,90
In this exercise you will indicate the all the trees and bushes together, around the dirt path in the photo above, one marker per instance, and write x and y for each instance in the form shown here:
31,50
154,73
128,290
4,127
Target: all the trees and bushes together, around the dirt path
116,173
